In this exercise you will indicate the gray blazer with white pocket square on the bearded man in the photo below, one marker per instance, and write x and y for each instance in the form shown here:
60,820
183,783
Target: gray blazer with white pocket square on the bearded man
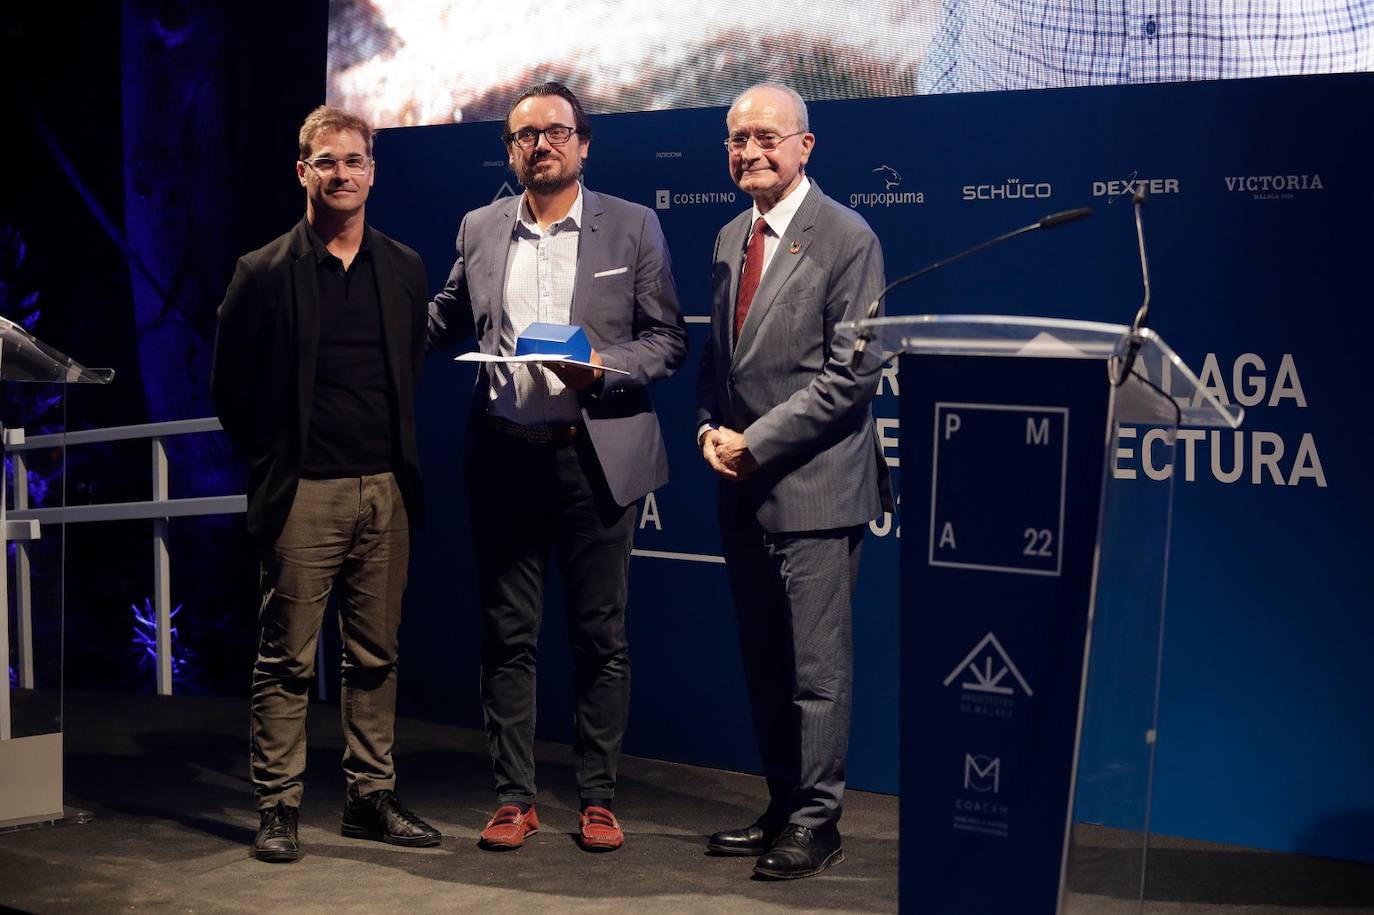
631,319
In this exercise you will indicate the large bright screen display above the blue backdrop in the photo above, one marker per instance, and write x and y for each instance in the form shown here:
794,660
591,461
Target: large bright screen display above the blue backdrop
413,63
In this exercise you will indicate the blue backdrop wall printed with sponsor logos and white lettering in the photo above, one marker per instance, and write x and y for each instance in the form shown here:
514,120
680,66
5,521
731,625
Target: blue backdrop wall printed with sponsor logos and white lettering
1259,240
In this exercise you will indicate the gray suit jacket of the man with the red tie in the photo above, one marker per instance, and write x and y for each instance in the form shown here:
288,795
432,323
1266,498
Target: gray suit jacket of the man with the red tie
788,387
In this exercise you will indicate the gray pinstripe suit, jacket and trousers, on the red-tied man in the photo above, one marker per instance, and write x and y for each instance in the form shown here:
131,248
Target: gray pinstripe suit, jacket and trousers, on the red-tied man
792,532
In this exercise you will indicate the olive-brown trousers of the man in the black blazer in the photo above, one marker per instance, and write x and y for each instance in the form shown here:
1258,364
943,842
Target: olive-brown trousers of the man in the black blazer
354,532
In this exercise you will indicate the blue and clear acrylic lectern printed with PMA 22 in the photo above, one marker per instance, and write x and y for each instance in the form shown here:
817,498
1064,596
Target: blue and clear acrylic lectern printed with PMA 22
1038,483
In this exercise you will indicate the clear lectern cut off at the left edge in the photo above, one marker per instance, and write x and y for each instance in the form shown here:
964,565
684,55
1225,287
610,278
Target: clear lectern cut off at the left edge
32,627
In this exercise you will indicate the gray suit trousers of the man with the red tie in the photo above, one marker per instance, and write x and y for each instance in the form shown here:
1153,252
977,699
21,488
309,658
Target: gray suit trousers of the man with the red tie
793,609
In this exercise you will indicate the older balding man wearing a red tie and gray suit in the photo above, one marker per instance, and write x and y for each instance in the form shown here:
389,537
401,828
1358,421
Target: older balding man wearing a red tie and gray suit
785,422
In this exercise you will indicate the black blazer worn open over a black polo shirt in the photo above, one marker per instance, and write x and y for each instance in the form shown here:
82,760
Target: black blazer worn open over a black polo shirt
263,383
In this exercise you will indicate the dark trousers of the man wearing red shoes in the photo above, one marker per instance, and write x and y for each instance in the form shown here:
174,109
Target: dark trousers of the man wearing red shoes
530,501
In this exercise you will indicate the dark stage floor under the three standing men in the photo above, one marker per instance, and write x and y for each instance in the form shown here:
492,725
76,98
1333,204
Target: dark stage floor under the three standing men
167,782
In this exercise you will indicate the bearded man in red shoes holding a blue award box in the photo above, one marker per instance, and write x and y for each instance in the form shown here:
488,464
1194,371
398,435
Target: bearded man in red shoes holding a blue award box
559,455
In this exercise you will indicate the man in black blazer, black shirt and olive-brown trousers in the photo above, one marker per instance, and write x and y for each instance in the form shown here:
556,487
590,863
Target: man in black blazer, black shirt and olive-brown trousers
318,354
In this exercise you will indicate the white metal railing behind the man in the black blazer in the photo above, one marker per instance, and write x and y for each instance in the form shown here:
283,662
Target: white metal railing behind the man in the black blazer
24,524
